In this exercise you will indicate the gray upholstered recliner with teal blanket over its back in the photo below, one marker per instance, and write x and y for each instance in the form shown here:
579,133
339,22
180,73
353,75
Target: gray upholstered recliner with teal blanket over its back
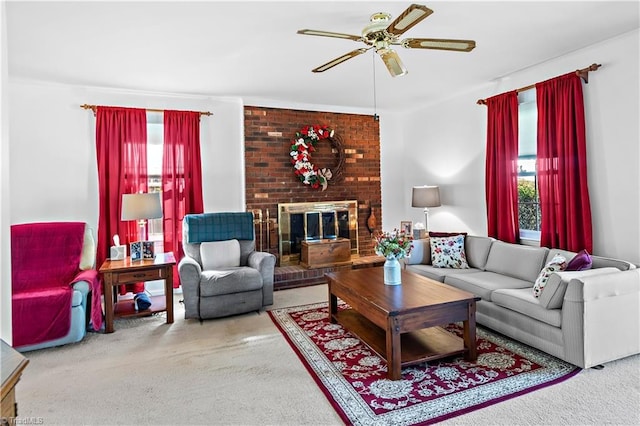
221,273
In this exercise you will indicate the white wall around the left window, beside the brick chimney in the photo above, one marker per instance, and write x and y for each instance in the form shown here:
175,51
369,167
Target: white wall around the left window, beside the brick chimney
53,149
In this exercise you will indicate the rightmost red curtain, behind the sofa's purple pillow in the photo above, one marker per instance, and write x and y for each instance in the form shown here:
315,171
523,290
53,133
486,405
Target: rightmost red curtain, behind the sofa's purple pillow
562,165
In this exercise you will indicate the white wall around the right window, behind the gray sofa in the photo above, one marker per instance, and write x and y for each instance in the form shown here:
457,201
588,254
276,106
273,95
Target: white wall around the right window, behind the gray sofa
444,144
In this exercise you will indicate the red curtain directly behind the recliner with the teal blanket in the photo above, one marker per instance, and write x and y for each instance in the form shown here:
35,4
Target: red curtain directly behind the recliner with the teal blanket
181,177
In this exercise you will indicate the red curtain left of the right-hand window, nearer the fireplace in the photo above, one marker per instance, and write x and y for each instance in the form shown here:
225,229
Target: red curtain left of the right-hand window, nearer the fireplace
501,173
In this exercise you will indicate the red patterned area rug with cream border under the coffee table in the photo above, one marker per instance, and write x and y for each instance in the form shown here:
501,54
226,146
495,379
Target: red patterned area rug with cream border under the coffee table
354,378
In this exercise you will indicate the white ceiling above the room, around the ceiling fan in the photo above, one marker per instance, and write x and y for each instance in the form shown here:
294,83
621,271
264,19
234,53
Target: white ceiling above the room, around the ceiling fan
251,49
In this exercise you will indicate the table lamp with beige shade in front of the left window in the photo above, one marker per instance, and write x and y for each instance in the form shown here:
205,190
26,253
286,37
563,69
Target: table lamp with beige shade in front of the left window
140,207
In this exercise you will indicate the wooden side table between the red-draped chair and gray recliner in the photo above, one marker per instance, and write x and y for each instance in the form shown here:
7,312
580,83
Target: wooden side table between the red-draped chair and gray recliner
116,272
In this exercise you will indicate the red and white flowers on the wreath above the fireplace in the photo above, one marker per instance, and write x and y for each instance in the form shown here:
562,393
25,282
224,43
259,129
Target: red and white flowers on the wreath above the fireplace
301,148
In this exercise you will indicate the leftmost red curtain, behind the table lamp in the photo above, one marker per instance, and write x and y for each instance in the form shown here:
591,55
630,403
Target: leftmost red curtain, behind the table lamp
121,145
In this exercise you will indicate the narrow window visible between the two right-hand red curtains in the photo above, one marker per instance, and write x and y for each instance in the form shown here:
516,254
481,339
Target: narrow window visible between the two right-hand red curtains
528,199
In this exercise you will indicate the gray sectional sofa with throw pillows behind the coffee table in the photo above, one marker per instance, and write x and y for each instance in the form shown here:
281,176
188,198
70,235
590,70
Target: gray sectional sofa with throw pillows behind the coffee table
586,318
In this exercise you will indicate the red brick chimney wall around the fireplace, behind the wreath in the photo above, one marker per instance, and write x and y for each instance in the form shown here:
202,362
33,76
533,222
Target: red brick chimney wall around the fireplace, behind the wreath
270,179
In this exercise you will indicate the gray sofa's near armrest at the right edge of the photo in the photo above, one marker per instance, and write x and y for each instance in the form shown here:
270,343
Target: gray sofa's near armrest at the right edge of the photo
600,318
